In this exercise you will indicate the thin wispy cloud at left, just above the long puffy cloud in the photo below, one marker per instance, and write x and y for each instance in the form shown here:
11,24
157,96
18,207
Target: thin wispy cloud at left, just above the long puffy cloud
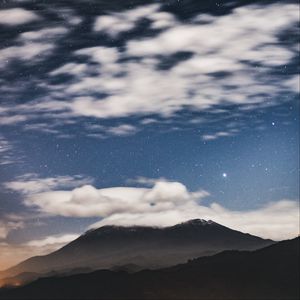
32,183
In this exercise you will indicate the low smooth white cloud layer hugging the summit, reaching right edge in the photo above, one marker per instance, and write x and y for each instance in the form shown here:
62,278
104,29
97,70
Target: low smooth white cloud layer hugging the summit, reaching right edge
278,220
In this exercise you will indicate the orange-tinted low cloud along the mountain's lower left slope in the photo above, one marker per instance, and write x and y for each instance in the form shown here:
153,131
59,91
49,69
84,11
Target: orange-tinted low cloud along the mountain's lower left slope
10,254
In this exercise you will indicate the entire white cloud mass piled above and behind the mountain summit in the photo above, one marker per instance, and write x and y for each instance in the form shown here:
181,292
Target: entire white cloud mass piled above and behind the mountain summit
166,203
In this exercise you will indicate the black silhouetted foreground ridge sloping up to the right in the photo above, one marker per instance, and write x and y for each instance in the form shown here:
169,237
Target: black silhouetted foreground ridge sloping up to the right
268,273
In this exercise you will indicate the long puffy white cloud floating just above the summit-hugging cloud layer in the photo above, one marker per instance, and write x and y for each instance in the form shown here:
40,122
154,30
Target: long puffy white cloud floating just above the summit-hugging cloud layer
88,201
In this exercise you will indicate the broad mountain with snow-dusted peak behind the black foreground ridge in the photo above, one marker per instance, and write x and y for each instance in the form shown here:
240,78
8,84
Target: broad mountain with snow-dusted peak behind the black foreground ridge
141,247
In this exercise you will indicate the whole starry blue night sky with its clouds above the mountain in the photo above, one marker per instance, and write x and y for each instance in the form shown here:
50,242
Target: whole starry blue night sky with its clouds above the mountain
146,113
